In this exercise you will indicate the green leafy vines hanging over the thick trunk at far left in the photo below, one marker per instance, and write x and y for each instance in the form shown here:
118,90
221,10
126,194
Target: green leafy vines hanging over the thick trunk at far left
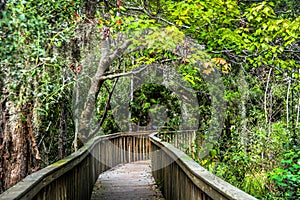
34,35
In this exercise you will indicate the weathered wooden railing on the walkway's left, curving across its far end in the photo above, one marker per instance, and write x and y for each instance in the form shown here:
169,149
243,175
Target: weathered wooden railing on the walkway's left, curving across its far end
73,177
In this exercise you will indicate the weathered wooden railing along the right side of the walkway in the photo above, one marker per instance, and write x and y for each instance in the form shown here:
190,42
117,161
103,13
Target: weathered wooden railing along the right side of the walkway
180,177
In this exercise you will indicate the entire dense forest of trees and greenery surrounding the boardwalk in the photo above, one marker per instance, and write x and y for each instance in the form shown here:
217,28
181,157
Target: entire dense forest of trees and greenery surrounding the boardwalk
64,65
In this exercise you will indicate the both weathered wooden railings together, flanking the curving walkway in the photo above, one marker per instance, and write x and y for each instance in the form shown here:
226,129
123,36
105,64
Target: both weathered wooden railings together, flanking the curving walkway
177,174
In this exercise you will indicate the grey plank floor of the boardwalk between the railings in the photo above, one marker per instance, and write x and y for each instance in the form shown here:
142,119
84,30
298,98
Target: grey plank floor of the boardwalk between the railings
128,181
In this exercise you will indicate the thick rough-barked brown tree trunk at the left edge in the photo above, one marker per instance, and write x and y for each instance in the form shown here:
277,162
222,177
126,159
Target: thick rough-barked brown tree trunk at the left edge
18,149
